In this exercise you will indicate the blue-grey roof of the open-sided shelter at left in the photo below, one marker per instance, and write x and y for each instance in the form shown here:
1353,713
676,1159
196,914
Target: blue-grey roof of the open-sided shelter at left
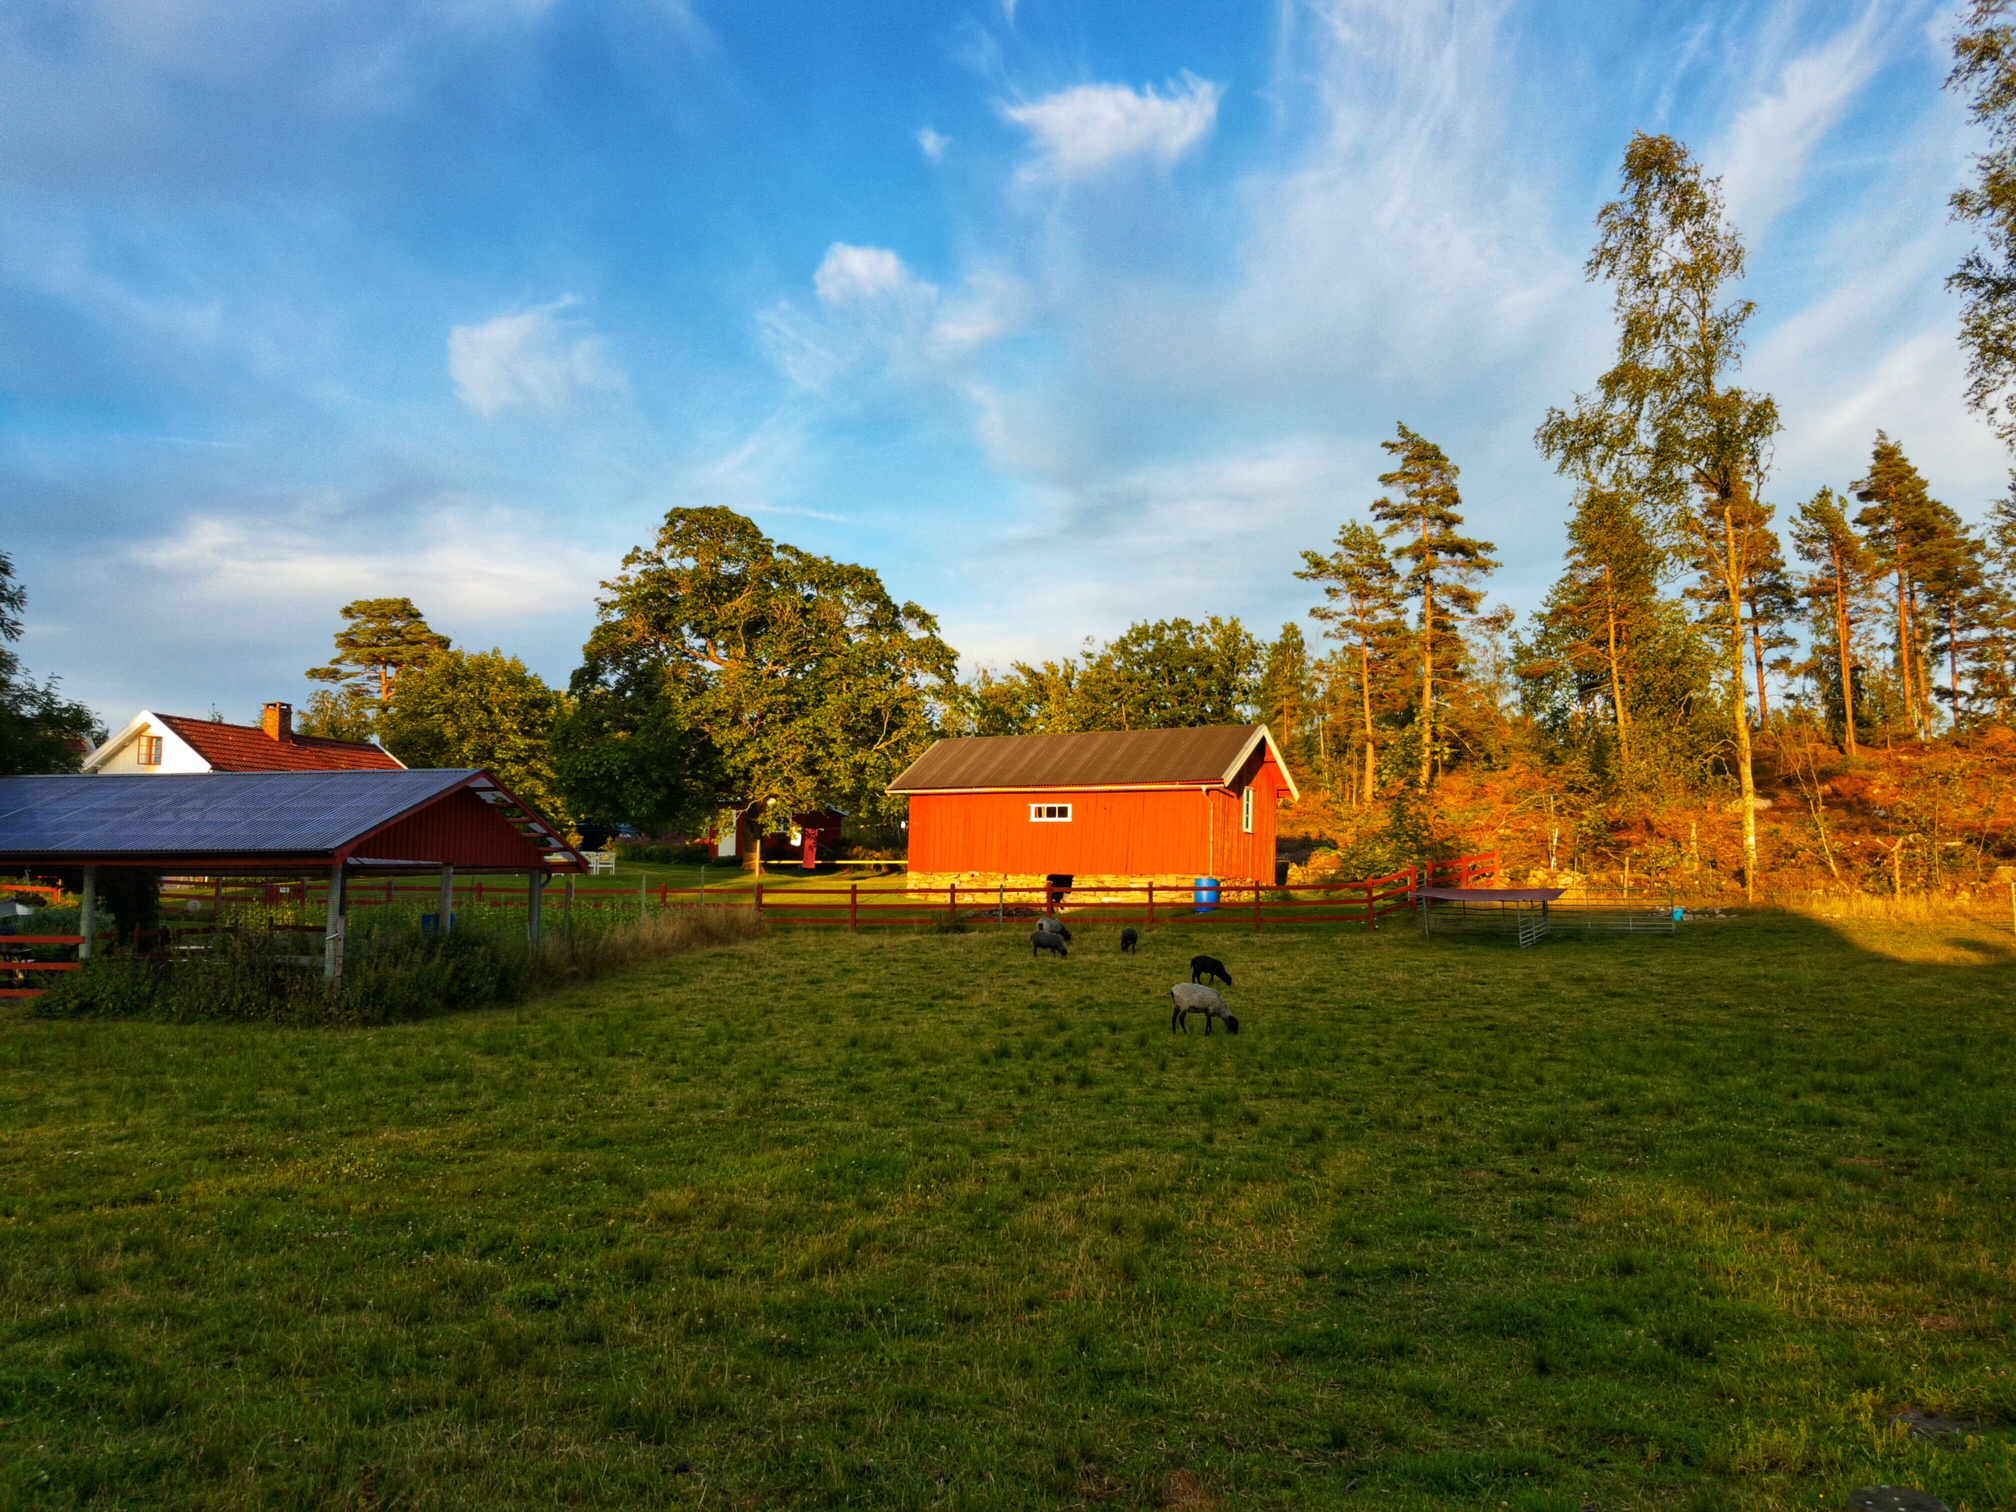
233,815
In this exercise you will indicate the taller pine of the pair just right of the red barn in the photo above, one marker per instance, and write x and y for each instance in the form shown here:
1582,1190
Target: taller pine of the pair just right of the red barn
1426,519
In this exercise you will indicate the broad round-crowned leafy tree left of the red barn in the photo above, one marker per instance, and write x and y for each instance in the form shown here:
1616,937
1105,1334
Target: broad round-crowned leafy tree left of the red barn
807,682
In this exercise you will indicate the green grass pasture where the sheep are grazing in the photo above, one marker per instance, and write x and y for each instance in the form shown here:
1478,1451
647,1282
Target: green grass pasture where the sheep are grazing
916,1221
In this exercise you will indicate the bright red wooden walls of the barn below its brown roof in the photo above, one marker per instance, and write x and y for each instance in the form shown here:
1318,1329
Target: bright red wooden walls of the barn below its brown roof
1112,834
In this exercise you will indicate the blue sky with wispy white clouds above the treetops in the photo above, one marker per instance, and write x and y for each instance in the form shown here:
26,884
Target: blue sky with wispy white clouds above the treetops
1059,316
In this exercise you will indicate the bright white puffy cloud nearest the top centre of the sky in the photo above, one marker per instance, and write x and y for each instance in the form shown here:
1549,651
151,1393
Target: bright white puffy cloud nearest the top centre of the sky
1086,130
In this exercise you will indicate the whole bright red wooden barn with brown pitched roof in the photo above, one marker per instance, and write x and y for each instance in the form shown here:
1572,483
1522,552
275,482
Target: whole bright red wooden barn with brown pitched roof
1108,807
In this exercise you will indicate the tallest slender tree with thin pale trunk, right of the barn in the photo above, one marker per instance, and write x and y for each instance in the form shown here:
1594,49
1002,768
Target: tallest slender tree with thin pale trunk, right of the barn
1666,420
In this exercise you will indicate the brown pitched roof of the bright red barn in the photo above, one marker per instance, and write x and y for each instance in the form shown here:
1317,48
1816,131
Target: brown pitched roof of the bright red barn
1102,759
